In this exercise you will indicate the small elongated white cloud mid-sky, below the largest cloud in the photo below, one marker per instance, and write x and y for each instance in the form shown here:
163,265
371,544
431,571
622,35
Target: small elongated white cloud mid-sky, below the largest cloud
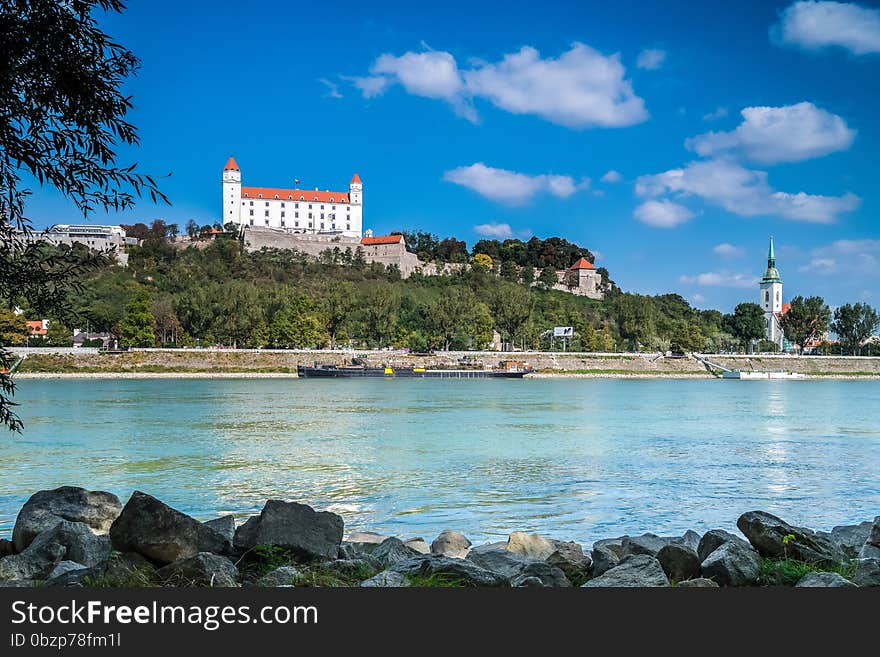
511,187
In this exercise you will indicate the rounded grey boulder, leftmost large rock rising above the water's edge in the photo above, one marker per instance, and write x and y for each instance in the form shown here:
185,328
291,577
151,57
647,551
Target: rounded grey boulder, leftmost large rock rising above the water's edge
47,508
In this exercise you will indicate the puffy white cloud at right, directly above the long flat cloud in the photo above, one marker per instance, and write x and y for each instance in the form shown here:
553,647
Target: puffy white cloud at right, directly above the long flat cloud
778,134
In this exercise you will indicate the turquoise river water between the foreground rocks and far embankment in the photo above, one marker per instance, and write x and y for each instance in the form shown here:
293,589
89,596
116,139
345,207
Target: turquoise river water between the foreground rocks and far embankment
576,459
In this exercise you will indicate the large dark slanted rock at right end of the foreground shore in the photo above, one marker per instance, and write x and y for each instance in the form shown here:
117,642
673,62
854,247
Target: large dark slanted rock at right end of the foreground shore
767,533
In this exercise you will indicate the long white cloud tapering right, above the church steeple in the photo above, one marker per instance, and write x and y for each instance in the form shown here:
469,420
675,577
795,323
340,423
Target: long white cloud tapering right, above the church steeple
744,192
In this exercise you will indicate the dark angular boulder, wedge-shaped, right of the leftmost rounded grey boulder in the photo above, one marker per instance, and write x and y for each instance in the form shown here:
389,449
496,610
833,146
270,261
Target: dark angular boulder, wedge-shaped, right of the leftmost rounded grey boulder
160,533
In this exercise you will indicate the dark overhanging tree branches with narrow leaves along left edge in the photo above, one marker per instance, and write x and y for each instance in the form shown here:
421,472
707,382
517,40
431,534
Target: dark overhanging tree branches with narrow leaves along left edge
62,116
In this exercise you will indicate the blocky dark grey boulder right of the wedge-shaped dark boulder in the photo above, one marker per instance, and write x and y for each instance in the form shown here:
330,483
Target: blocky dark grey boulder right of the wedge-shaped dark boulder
297,527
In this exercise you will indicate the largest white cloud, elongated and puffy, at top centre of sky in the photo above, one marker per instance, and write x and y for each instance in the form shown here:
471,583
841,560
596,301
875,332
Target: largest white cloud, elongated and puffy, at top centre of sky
579,89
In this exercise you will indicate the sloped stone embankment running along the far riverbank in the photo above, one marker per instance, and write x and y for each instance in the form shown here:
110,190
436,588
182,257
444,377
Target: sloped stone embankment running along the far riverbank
268,363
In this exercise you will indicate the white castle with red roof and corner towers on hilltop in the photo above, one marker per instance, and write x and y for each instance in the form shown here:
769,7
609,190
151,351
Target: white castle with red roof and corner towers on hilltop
293,210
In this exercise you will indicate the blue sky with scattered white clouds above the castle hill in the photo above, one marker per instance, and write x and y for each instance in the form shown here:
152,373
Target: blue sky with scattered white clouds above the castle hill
724,122
